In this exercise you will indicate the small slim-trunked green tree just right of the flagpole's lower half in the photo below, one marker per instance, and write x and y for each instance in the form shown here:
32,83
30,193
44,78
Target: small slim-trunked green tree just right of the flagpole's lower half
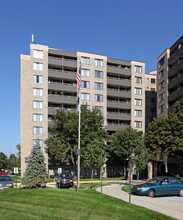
94,154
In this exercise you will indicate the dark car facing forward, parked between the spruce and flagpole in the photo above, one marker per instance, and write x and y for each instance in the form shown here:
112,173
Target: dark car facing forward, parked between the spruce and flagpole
64,180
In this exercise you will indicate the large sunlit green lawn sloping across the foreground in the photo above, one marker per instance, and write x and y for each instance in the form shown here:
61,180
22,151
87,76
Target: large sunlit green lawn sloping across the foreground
52,203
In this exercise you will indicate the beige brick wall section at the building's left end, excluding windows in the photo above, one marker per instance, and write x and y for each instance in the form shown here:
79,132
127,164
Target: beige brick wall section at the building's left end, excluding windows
27,98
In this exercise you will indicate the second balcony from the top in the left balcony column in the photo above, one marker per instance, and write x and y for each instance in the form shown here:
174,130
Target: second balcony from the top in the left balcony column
59,74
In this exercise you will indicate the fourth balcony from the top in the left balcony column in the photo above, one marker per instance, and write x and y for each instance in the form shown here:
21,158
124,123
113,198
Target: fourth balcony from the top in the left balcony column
60,99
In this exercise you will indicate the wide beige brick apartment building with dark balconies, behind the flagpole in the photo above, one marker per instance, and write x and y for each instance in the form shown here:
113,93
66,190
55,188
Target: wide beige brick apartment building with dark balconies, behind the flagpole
48,82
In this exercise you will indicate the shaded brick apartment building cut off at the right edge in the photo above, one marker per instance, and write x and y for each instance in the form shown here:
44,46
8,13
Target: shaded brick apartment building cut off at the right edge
170,78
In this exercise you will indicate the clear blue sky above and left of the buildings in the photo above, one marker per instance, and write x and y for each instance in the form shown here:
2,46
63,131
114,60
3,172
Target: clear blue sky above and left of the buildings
130,30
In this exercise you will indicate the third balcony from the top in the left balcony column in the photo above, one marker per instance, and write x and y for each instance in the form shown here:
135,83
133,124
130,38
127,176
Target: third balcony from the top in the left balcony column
62,87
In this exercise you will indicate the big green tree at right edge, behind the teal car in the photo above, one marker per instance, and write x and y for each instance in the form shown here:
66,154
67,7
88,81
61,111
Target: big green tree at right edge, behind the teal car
165,135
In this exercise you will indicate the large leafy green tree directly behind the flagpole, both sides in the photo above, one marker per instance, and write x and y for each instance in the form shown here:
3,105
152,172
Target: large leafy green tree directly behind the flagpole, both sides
64,133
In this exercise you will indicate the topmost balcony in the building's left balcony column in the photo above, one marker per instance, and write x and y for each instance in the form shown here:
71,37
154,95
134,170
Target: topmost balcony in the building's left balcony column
56,61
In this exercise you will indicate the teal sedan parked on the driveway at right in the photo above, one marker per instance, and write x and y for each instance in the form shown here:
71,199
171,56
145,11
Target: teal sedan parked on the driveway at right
159,186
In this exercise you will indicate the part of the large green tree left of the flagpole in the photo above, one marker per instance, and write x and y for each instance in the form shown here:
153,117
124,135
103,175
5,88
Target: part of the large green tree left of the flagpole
64,136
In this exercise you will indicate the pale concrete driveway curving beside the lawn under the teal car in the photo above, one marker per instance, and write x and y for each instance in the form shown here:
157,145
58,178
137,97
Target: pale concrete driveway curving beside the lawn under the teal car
171,206
